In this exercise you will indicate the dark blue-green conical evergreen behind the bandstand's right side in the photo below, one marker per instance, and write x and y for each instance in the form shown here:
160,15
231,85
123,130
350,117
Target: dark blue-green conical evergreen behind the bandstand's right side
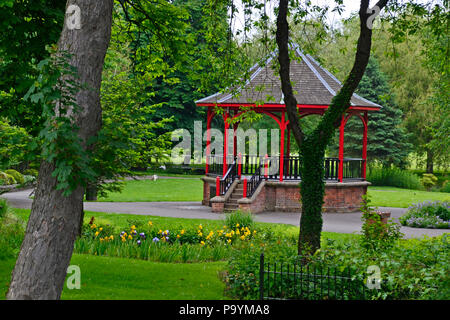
387,141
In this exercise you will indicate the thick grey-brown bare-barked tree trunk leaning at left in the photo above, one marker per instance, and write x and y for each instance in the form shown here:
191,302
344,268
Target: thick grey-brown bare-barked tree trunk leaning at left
54,222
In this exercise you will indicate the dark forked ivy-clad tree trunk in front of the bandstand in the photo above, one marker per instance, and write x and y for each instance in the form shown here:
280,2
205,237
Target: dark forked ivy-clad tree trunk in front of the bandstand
312,146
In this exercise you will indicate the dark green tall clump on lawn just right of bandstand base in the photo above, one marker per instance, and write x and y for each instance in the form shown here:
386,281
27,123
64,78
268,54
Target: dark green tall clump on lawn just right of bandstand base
393,177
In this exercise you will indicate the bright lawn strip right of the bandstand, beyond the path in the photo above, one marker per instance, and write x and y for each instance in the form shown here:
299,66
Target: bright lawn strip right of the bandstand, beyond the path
402,198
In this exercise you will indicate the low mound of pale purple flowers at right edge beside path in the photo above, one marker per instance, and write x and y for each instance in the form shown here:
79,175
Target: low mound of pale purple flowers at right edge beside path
428,214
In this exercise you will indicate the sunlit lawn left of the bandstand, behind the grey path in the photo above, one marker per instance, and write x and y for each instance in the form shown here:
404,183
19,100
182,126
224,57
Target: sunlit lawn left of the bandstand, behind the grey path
160,190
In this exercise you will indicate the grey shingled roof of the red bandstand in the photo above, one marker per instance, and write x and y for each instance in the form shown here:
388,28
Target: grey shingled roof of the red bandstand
313,85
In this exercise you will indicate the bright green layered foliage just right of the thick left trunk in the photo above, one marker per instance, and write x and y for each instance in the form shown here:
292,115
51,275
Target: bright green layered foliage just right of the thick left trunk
129,137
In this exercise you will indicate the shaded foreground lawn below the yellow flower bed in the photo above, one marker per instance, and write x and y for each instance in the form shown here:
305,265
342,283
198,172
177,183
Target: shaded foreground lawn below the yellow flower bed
108,278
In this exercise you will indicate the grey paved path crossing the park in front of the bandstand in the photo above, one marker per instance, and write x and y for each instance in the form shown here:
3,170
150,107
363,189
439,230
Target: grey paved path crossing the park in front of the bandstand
332,222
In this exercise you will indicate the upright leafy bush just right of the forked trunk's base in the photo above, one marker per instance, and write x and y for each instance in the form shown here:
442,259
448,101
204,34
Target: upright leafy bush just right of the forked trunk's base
377,235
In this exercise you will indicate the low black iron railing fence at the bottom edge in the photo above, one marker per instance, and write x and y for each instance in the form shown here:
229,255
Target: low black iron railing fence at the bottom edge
294,281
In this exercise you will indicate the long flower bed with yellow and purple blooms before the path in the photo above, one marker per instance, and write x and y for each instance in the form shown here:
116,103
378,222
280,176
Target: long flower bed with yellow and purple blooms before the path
153,242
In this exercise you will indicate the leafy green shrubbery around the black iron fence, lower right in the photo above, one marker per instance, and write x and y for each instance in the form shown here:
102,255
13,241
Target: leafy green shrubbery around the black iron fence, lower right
411,269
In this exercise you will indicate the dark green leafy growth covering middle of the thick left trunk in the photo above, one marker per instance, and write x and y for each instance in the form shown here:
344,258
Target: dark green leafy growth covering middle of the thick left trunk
55,90
